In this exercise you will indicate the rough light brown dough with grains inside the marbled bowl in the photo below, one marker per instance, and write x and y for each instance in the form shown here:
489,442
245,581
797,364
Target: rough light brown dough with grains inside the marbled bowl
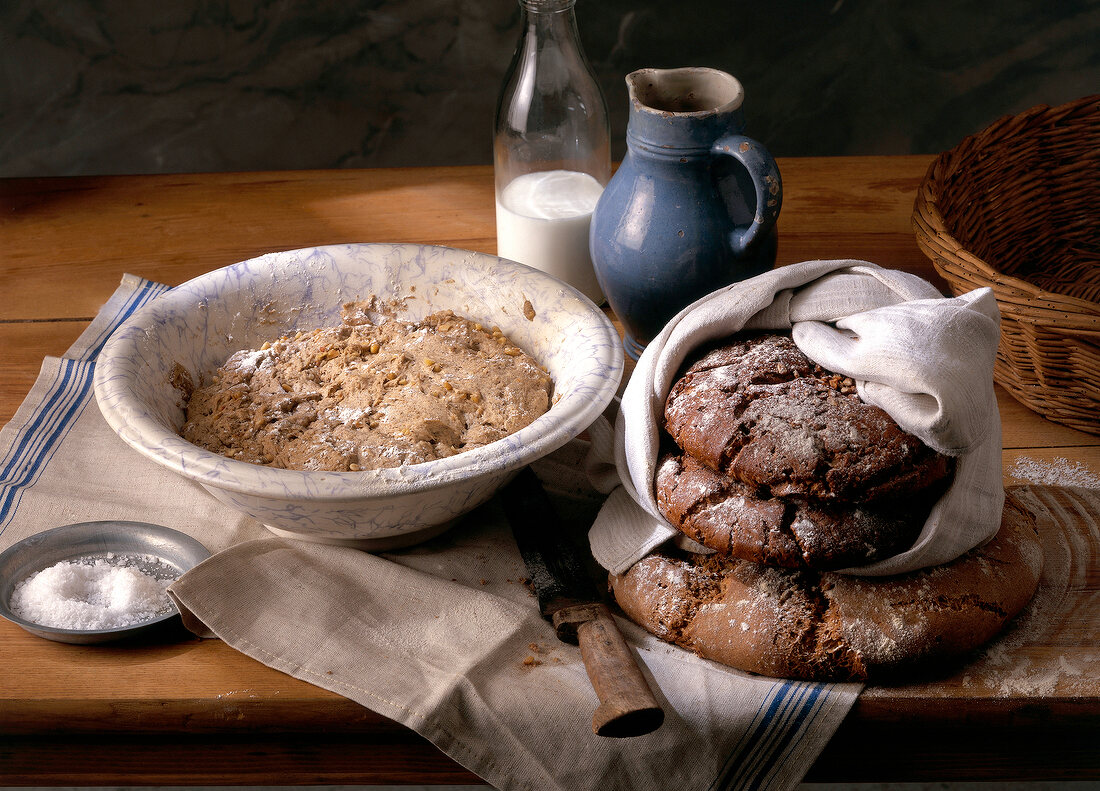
371,393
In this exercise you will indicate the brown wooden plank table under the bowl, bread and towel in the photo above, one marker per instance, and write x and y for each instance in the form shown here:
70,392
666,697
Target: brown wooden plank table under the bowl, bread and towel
196,712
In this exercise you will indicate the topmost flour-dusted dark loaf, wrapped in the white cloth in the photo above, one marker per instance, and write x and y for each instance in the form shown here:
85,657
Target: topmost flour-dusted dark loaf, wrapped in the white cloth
755,408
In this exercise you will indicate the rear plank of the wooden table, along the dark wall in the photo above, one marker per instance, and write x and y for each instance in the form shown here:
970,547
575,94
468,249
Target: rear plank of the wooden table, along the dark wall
74,238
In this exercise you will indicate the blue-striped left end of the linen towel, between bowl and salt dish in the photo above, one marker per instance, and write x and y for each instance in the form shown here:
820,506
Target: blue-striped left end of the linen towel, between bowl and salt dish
61,464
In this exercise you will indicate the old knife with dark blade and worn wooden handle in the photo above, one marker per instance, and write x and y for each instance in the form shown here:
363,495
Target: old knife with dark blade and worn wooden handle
570,601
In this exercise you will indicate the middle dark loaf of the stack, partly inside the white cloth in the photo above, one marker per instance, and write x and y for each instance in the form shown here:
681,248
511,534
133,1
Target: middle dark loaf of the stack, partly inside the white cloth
794,533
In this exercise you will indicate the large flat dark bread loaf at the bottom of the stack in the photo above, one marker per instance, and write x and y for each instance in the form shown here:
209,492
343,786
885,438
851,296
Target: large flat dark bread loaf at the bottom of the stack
831,628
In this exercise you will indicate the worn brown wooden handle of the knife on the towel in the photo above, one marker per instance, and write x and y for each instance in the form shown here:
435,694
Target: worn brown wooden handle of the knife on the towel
628,707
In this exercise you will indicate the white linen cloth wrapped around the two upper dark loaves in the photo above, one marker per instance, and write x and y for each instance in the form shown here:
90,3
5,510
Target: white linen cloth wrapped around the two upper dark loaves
927,360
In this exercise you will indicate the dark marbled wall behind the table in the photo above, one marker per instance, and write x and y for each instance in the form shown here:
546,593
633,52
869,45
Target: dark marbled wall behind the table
136,86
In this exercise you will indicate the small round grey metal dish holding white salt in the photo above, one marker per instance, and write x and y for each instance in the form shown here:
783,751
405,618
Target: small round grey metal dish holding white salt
174,550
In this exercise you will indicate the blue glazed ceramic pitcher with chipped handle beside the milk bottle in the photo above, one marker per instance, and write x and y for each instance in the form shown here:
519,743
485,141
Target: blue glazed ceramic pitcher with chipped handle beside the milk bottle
692,207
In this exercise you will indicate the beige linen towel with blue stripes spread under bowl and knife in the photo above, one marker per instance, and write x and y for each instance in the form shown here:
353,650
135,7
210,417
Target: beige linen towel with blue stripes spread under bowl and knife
435,638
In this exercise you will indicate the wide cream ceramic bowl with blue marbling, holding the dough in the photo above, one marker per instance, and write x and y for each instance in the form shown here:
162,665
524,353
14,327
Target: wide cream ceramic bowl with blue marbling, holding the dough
196,326
